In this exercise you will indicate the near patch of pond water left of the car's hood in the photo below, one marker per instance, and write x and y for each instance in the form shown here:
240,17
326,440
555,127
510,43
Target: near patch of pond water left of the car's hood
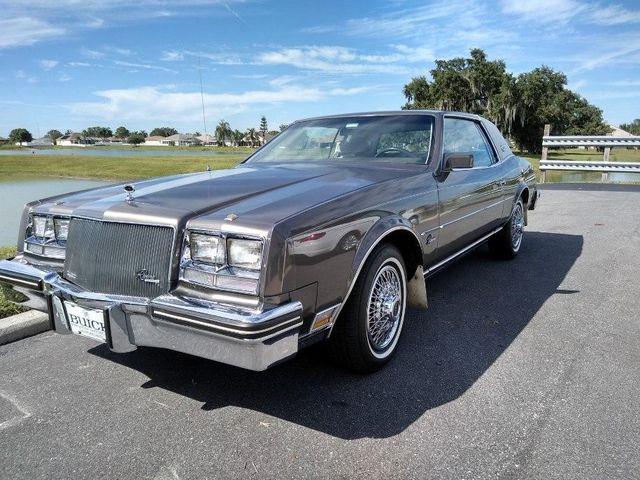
15,193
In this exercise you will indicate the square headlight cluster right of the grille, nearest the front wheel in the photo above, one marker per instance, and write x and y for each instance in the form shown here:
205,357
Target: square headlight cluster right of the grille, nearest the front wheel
221,261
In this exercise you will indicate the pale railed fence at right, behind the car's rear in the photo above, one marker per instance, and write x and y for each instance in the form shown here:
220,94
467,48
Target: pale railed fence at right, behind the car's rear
604,166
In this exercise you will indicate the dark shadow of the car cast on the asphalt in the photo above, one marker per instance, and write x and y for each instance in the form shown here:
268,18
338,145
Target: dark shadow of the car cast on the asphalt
477,307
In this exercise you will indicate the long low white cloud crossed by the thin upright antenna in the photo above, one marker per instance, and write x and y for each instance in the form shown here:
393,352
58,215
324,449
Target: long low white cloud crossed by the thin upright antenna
152,103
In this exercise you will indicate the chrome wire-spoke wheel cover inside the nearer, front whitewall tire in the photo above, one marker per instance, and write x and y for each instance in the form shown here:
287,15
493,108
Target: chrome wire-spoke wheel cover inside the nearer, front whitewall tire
385,308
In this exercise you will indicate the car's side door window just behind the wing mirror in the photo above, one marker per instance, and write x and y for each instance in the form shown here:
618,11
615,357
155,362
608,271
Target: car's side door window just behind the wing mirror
465,136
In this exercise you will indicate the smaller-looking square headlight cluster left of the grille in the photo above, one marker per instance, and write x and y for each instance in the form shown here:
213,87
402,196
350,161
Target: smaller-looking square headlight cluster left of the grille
46,236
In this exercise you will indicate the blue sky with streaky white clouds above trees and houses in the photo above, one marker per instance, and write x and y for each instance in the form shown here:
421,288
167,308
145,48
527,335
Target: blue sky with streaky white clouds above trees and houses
73,63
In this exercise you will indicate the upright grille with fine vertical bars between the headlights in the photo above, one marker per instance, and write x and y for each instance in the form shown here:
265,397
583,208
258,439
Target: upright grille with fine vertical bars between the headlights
109,257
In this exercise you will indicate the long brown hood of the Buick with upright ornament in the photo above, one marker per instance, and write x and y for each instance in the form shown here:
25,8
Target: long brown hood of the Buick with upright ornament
257,195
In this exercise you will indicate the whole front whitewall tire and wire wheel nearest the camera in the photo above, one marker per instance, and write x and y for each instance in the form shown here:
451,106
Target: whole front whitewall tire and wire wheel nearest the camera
367,332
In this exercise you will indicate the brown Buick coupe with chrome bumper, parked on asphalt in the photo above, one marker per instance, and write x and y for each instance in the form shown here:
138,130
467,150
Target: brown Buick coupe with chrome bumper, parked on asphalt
327,233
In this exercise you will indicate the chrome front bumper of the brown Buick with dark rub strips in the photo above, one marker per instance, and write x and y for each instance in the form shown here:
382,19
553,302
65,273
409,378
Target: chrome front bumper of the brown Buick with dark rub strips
252,339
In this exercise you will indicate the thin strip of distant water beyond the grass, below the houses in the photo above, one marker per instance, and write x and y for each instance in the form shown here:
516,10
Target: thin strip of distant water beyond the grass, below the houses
109,152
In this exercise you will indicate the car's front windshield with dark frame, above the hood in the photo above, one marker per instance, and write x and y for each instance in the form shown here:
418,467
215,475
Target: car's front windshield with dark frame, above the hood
384,138
